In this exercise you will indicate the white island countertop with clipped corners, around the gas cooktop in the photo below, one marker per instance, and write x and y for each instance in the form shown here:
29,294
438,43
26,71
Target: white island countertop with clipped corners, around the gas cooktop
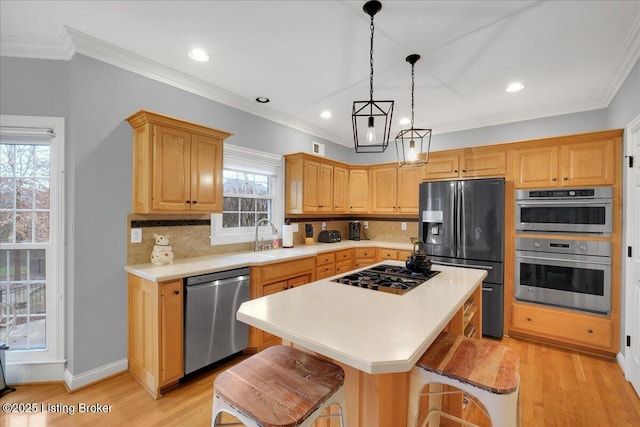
375,332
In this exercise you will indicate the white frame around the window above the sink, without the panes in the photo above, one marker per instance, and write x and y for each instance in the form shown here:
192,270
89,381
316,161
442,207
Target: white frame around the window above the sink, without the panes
244,159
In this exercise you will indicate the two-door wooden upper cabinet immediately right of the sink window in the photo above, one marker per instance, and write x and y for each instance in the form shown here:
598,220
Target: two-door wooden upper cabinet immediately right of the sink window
315,185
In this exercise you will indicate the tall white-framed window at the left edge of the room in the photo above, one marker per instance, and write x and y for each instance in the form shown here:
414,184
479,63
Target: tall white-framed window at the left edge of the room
31,233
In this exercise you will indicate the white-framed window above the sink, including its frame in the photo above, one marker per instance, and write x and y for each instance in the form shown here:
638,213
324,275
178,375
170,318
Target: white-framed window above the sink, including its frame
253,189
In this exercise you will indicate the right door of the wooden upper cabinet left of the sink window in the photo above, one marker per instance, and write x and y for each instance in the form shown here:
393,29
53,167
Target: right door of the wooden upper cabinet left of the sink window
206,164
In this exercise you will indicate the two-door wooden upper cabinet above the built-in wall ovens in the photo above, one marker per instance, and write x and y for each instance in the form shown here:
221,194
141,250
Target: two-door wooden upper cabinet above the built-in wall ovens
567,162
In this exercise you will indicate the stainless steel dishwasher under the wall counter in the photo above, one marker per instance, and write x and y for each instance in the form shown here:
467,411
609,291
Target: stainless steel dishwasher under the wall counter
211,331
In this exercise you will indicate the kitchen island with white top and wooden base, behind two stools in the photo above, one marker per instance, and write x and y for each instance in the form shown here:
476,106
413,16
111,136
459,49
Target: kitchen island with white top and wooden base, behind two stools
375,336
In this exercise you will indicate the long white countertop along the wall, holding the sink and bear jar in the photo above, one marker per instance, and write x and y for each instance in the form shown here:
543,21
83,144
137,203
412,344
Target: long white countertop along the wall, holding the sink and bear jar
210,264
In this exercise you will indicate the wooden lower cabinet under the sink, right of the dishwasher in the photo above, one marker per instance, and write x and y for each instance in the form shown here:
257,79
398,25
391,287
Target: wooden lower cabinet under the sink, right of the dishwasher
277,277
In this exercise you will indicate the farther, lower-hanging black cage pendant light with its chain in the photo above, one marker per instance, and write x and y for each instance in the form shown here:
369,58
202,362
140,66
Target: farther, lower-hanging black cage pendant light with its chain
411,142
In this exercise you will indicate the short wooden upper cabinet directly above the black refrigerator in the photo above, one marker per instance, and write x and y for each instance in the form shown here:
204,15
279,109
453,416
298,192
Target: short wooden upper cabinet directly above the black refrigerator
476,163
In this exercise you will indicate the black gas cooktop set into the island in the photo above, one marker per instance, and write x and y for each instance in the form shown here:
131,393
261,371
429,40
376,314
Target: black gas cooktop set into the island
386,278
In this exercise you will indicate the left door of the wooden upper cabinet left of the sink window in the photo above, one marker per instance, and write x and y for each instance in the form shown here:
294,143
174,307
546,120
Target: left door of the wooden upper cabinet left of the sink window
171,169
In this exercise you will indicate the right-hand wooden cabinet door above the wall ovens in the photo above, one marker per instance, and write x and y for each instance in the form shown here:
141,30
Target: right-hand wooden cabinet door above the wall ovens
588,163
